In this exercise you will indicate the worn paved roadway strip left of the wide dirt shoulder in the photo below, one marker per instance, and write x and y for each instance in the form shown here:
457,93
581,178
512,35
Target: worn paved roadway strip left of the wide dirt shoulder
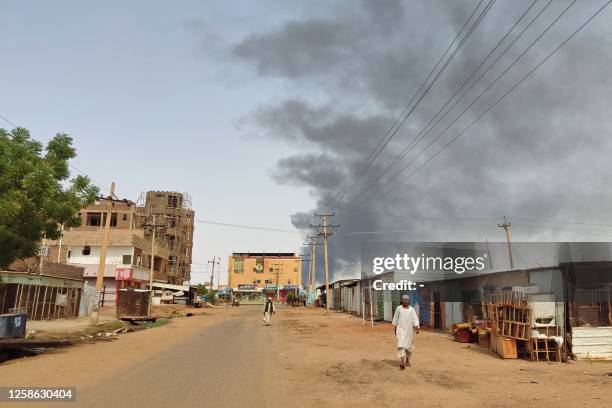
222,365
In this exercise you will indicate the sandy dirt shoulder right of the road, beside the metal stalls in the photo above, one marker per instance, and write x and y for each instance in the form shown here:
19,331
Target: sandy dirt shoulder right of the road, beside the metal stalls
336,361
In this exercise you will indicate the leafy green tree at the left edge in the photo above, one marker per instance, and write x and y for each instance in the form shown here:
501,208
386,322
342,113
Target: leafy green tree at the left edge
36,195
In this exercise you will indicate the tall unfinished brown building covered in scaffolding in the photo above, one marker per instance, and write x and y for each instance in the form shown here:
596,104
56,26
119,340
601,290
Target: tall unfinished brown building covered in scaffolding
172,212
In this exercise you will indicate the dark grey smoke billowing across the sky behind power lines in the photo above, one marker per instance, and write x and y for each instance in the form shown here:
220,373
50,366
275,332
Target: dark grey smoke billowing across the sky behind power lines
350,67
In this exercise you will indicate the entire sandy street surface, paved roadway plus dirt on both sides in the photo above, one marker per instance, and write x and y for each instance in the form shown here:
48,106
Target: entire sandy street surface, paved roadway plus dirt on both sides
227,358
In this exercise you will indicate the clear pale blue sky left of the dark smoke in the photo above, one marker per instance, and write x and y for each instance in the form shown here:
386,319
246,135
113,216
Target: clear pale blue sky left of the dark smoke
152,103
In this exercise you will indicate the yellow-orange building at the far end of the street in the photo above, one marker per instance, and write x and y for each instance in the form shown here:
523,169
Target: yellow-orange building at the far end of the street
254,275
